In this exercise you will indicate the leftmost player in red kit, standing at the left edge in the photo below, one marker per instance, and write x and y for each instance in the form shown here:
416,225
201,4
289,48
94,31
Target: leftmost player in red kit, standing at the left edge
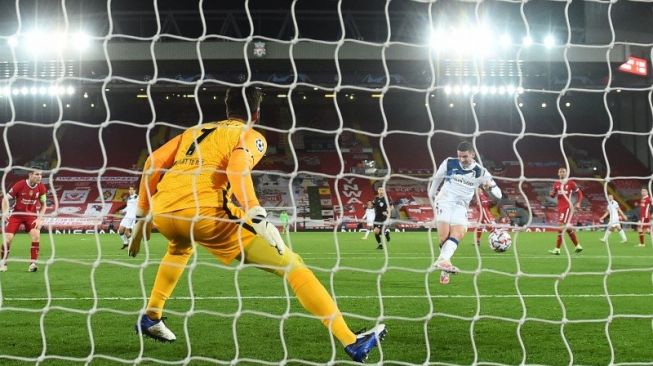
24,196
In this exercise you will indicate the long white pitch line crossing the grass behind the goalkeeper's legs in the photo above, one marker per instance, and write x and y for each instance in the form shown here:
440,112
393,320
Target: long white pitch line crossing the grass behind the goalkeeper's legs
355,297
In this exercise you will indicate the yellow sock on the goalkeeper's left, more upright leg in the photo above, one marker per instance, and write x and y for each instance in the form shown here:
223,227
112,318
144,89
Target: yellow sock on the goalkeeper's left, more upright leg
170,270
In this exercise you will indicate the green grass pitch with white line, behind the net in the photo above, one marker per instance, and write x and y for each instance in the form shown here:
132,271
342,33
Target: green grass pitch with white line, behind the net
82,304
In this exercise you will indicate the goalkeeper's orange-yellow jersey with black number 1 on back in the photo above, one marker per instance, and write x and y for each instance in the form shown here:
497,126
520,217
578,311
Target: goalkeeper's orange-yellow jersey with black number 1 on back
202,167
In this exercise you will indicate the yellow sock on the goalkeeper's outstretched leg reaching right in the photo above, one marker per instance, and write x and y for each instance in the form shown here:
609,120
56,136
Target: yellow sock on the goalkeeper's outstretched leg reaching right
317,301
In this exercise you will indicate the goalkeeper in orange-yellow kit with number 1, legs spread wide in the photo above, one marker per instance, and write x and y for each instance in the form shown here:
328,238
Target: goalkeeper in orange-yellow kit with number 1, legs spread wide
191,180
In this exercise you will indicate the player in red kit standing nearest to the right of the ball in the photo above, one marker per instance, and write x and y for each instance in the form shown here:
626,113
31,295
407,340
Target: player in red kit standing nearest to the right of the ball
563,189
